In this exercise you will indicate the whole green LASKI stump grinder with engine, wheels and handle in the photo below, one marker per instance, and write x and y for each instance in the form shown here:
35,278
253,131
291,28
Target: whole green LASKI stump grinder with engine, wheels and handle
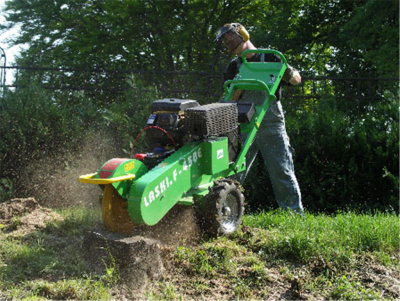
194,154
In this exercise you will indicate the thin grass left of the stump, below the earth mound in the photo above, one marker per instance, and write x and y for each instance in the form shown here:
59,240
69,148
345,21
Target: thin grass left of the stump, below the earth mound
49,264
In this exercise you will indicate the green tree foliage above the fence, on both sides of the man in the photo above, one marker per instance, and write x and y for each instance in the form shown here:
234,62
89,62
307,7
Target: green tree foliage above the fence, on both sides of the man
319,36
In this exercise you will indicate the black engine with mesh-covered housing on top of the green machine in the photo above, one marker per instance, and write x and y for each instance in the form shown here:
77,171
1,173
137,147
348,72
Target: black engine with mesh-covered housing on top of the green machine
175,122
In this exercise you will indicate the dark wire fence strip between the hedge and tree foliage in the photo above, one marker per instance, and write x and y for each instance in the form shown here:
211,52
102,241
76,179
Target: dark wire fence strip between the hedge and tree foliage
350,93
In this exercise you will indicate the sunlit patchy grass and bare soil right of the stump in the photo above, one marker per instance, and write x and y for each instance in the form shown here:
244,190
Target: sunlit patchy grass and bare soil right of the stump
333,256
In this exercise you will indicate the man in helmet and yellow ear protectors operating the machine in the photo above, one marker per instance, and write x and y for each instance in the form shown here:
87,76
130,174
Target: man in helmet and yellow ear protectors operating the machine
271,140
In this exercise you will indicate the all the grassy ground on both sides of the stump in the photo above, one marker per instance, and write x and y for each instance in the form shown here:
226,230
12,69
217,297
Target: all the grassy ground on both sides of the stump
275,254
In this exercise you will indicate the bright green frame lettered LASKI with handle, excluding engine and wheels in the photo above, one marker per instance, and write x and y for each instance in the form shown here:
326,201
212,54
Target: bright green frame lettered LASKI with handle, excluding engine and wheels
187,175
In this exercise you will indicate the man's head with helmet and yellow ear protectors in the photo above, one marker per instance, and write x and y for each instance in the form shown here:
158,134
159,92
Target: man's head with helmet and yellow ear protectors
233,35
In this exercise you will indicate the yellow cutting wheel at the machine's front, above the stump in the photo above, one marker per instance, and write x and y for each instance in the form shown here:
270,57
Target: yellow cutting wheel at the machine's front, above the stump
114,211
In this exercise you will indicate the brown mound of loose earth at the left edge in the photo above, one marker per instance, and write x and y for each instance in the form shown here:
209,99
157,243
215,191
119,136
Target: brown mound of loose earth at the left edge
23,216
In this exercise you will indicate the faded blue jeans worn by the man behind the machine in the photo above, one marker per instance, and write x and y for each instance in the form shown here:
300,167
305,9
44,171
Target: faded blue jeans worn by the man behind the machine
273,143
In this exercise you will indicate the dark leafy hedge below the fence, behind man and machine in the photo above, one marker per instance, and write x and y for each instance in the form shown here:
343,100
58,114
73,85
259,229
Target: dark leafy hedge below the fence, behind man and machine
340,161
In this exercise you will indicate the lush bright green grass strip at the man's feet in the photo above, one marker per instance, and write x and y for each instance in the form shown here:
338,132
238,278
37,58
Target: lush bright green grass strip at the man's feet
332,238
